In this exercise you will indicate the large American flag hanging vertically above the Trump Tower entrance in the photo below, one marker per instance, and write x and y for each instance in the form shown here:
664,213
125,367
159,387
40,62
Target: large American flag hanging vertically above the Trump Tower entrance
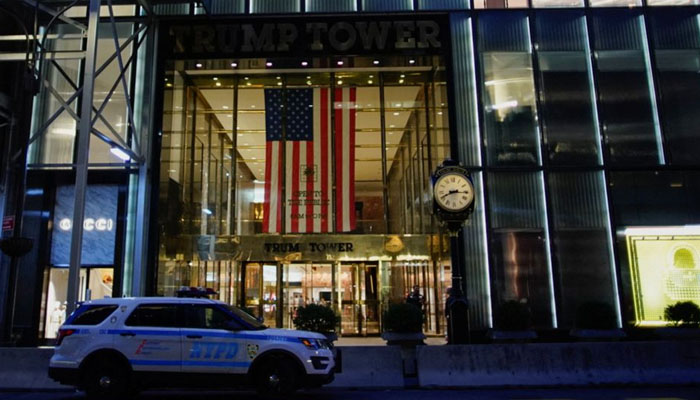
302,164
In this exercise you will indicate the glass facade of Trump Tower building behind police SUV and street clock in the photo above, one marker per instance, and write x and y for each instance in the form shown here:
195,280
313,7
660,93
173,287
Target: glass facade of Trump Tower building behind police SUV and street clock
575,119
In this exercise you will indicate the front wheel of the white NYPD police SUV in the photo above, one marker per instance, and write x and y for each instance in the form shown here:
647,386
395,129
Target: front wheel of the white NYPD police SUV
277,376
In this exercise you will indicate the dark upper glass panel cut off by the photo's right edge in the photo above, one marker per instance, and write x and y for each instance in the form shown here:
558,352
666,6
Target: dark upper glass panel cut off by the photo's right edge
676,41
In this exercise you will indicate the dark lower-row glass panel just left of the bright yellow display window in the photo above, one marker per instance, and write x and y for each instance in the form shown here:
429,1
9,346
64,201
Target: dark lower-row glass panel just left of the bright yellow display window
581,242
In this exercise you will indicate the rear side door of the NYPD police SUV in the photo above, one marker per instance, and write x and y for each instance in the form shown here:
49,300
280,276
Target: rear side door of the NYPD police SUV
150,338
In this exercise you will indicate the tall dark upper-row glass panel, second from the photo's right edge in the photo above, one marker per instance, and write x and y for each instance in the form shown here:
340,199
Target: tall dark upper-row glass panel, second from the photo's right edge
626,101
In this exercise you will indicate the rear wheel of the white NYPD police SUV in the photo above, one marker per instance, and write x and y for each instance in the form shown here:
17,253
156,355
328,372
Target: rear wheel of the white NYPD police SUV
105,380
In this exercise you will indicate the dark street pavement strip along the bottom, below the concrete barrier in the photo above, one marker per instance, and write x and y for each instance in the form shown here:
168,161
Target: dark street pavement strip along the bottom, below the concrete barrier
622,393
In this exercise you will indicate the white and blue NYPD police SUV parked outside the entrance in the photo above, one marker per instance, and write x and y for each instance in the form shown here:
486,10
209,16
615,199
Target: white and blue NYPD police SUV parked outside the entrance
114,347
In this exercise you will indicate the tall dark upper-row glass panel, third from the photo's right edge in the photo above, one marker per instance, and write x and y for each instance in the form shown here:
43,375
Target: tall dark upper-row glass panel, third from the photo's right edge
567,111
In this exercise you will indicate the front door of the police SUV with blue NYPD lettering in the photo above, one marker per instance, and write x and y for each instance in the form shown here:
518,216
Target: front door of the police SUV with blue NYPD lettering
209,341
